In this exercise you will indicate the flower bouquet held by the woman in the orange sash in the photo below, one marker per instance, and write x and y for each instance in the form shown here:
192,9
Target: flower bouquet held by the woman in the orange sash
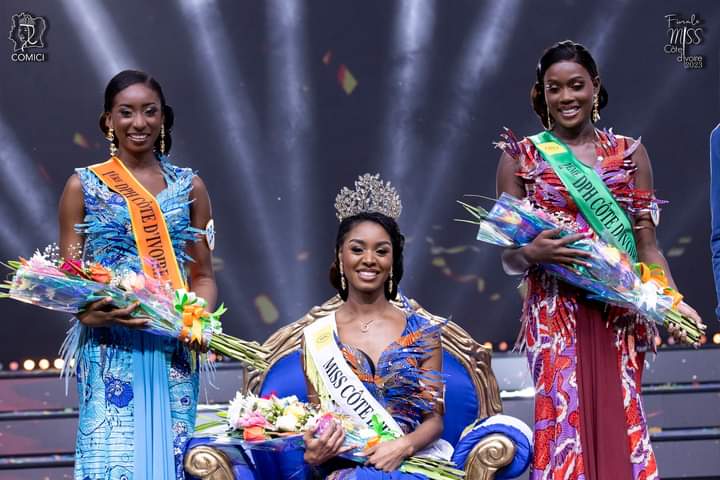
69,286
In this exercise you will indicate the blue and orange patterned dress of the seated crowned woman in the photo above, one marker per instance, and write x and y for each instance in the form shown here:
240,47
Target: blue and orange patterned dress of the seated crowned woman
400,384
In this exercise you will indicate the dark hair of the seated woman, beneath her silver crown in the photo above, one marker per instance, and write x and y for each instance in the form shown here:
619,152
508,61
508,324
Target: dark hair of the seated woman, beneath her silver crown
396,239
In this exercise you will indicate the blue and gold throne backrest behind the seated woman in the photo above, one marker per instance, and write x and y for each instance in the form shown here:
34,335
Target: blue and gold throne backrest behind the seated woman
471,389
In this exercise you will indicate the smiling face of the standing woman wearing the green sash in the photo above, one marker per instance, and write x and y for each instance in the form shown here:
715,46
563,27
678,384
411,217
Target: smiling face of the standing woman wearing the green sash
569,92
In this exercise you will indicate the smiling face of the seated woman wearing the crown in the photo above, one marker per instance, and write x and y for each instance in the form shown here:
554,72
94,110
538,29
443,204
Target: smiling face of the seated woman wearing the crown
367,257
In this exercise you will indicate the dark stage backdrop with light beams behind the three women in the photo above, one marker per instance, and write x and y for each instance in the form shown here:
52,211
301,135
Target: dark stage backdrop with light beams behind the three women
279,103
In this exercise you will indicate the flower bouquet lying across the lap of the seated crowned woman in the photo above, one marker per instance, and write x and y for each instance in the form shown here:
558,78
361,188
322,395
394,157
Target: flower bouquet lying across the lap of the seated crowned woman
277,424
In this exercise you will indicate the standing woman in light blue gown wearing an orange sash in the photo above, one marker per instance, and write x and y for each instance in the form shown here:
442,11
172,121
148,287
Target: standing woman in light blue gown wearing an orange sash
137,392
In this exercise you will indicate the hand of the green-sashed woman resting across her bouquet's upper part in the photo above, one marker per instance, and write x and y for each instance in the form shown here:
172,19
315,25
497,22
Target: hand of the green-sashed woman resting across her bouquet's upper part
548,248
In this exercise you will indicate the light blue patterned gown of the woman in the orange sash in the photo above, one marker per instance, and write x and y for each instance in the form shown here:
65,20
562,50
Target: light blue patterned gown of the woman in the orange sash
106,437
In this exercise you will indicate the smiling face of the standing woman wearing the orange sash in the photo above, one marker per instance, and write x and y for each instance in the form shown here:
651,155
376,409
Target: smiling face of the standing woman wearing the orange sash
136,117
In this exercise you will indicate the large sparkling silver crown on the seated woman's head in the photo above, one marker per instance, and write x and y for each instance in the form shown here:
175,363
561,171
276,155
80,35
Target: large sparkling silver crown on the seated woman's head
370,195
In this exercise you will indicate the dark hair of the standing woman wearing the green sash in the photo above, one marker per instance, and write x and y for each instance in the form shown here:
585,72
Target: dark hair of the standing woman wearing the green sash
562,51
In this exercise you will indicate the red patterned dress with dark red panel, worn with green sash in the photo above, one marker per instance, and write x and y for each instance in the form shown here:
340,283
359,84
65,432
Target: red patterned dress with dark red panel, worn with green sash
589,420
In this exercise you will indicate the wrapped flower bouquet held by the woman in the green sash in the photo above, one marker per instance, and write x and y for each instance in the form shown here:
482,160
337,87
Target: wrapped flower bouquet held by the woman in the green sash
612,276
